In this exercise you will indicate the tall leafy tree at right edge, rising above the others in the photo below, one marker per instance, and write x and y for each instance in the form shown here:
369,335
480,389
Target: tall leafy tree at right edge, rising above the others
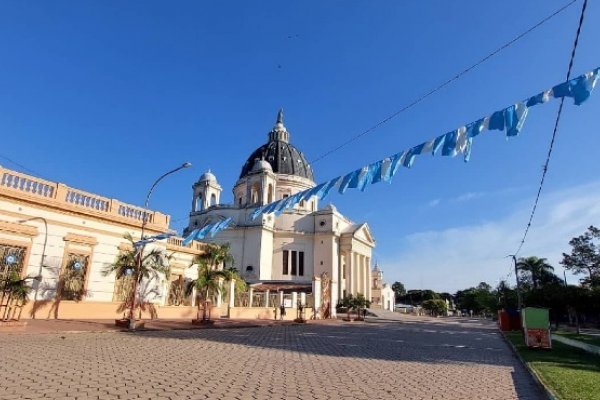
585,256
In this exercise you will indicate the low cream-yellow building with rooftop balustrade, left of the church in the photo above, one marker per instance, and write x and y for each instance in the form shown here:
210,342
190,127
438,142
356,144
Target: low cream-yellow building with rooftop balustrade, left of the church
53,231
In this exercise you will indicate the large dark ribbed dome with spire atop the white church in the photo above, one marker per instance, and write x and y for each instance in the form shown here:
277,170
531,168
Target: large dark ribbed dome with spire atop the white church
282,156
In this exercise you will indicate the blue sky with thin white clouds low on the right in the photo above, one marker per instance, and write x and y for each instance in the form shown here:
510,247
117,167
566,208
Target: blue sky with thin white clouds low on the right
106,96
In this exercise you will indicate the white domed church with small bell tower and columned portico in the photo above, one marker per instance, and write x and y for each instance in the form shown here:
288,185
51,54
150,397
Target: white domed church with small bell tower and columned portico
307,249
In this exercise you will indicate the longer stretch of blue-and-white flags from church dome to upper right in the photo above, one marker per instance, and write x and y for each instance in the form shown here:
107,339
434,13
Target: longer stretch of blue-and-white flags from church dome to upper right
459,141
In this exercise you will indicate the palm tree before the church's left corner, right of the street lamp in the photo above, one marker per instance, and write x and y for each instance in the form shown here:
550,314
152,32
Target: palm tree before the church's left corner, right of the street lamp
207,282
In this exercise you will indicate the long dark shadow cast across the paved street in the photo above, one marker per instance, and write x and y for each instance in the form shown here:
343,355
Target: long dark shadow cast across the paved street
416,341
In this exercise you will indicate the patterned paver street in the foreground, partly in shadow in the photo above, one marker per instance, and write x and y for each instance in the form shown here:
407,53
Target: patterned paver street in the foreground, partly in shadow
413,359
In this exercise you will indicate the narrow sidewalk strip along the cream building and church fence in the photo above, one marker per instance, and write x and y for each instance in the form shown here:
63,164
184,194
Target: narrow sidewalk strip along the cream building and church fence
35,326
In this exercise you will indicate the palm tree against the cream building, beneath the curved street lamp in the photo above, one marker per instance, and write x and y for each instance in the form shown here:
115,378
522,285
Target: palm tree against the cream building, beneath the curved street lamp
155,264
